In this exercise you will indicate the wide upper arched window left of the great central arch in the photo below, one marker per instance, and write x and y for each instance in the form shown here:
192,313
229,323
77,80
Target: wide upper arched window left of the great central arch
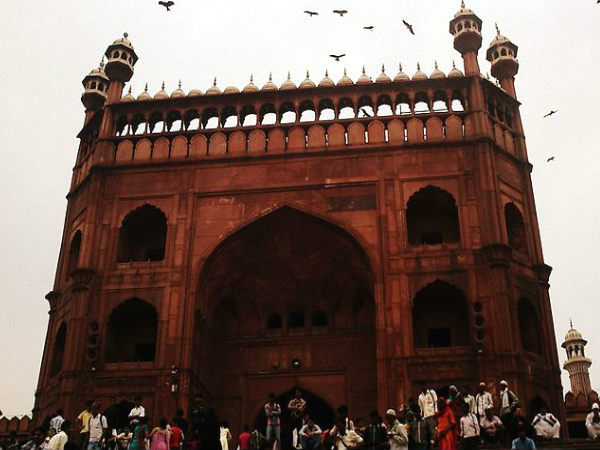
142,236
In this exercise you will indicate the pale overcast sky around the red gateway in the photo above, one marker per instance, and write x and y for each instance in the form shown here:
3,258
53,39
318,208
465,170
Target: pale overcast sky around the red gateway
47,47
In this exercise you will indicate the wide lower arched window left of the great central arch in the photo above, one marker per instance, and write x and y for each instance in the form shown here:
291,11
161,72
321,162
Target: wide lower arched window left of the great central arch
132,331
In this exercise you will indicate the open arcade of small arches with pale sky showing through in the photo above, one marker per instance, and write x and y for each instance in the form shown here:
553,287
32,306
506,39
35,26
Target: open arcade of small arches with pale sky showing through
233,116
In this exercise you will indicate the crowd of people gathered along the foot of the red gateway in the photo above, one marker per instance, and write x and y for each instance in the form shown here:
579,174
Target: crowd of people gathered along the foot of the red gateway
461,420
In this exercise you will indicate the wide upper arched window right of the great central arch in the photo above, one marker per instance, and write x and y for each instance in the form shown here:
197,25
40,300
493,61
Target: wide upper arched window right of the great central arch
432,217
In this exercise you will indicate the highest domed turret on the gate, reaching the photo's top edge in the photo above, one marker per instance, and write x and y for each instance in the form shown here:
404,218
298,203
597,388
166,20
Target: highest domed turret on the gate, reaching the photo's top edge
466,29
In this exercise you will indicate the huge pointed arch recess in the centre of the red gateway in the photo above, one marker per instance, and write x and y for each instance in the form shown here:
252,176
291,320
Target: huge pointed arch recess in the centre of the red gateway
286,301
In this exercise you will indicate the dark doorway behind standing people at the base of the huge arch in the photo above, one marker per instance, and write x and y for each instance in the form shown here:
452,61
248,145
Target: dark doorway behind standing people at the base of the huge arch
320,411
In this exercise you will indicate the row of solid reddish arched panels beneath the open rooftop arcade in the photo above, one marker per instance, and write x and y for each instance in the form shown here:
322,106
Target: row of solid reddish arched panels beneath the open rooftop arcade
278,140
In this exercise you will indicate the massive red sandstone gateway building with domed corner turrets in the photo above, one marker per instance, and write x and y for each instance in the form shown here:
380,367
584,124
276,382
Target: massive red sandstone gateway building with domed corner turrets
353,257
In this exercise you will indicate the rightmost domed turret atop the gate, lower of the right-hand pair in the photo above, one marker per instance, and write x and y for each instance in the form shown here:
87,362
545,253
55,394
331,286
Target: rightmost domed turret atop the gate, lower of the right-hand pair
503,56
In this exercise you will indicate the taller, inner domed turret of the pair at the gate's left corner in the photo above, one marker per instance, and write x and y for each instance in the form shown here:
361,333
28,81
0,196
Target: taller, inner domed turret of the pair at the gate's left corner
119,68
